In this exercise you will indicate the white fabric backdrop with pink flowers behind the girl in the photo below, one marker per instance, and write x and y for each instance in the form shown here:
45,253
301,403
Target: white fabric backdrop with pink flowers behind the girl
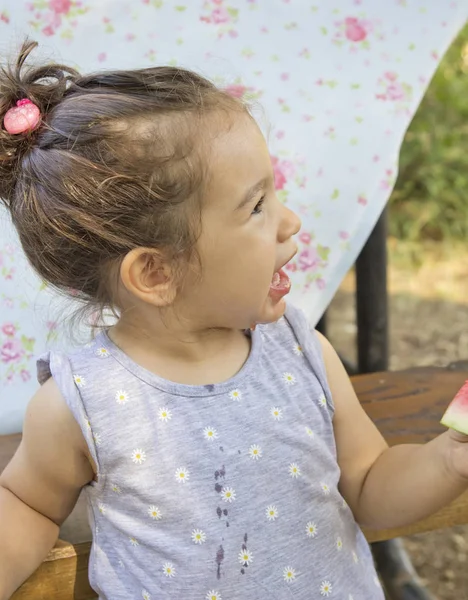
337,82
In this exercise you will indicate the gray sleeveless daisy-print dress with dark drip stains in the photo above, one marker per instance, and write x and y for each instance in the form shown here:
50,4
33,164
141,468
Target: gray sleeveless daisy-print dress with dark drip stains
216,492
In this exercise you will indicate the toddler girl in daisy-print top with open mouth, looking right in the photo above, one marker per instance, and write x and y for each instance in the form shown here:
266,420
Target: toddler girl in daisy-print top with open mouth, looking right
218,439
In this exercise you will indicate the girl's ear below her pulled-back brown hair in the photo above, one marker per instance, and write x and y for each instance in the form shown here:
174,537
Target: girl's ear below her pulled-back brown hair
146,274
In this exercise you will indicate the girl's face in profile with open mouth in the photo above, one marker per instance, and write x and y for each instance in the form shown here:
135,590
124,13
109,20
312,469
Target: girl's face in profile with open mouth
246,236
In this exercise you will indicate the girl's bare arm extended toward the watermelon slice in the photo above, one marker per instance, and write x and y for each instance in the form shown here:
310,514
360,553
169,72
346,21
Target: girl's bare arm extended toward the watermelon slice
390,487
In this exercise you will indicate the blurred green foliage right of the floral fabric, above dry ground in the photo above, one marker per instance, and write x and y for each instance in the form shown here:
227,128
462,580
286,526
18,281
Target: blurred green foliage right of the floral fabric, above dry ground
430,200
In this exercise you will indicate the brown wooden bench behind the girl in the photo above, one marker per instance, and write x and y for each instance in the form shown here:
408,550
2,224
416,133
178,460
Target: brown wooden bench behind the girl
406,406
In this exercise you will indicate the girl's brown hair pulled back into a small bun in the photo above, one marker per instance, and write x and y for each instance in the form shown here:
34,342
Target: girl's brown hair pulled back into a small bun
112,167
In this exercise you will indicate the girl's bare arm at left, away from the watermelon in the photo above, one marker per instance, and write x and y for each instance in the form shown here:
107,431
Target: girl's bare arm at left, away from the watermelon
40,486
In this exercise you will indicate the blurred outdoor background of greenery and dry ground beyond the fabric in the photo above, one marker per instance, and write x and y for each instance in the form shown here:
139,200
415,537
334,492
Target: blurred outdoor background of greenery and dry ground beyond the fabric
428,275
